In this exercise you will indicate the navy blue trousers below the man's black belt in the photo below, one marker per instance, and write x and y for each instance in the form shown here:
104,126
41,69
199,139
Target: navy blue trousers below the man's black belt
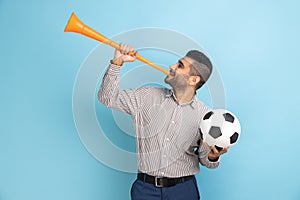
183,191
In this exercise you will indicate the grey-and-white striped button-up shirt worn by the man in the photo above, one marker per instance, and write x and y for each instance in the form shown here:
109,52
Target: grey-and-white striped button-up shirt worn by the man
167,133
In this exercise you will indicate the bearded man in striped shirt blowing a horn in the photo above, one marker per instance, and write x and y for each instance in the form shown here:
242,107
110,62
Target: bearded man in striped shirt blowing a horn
166,123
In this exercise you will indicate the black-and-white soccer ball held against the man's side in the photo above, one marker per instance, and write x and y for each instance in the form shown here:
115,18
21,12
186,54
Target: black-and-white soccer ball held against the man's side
220,127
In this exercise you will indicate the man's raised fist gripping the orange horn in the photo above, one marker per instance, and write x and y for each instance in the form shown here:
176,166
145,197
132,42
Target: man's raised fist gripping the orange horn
122,55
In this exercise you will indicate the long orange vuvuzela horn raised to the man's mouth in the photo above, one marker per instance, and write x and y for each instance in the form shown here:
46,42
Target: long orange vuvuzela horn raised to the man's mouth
75,25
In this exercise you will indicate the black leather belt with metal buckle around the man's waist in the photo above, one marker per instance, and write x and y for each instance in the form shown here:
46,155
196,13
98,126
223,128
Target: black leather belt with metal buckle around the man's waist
162,181
